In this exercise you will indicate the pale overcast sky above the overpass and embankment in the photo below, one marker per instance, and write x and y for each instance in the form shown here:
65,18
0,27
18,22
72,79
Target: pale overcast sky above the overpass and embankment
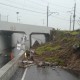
34,12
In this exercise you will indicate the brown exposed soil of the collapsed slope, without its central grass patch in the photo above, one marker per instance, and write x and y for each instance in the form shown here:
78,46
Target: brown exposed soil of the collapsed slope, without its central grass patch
66,52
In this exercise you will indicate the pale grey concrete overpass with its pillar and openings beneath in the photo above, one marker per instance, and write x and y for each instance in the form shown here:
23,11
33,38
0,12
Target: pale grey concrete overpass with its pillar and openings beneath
13,33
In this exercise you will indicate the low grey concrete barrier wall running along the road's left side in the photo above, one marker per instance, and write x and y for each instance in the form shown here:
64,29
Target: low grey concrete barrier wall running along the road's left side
9,69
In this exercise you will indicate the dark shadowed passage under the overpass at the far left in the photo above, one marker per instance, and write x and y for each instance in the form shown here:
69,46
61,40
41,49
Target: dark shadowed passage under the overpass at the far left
6,45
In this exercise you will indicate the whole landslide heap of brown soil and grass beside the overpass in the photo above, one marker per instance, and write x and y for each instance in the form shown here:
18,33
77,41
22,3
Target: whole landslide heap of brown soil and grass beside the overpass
63,48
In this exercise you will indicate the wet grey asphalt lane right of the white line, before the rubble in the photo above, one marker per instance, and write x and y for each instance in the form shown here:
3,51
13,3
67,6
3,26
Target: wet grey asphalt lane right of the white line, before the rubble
35,73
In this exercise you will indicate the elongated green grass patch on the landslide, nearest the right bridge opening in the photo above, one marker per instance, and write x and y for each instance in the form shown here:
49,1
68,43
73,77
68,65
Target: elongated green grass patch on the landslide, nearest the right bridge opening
48,47
